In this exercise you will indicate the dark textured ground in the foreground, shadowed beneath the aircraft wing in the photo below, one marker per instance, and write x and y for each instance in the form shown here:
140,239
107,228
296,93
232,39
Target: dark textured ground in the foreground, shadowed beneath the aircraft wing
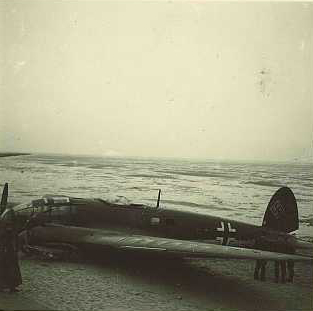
119,283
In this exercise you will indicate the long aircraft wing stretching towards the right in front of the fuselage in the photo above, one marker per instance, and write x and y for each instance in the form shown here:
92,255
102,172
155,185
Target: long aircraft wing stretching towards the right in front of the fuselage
102,238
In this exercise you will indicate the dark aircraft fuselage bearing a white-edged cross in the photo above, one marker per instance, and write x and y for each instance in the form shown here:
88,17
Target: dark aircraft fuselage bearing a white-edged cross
155,222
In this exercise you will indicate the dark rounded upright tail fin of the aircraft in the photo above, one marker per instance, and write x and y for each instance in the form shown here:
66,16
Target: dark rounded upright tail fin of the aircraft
282,212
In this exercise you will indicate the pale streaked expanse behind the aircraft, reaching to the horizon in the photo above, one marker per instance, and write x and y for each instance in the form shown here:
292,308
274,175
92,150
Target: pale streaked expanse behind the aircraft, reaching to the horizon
236,190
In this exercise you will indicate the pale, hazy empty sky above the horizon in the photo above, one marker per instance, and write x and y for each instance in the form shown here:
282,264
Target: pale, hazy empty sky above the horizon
182,79
